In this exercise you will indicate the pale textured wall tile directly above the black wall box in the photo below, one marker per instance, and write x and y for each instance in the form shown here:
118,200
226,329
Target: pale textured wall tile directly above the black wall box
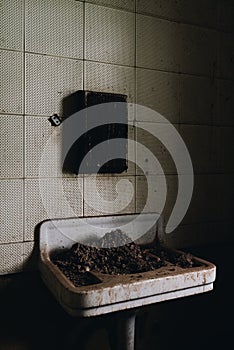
110,78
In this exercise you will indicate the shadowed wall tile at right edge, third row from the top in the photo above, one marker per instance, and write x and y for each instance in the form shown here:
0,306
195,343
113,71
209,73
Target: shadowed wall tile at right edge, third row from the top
225,103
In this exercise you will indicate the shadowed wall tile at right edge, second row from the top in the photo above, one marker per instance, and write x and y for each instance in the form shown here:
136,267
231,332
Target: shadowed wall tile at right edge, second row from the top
226,55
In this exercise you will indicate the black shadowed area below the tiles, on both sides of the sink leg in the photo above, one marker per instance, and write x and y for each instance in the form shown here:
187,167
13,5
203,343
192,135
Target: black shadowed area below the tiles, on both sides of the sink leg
31,319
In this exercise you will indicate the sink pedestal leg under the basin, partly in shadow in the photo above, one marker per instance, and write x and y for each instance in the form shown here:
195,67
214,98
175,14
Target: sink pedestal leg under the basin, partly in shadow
122,331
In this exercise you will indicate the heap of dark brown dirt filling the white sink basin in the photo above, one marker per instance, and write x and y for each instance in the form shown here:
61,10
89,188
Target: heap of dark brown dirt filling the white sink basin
104,257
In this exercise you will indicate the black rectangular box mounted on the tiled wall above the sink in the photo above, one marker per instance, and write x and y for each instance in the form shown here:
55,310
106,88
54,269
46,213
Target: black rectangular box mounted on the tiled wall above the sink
91,137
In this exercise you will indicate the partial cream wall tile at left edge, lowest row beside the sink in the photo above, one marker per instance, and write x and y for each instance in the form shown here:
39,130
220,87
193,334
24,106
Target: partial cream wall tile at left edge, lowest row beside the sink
11,258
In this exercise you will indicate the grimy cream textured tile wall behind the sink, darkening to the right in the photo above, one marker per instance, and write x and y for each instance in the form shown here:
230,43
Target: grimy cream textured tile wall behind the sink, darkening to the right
173,56
